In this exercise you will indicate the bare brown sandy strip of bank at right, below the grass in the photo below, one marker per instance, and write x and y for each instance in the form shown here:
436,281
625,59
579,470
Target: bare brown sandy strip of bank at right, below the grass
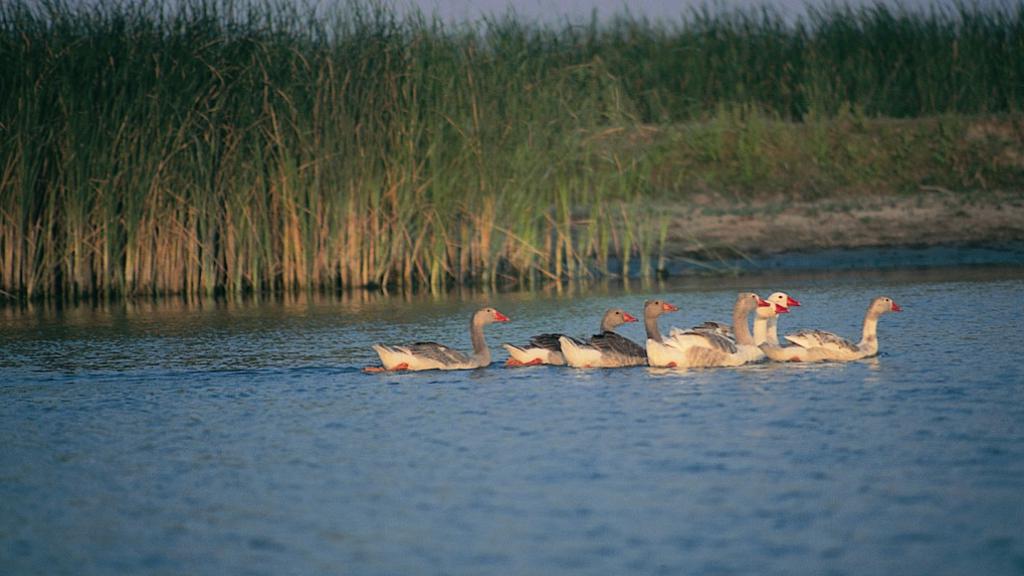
948,227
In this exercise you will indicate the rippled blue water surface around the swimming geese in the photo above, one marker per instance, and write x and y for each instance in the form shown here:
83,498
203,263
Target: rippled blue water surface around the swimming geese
243,439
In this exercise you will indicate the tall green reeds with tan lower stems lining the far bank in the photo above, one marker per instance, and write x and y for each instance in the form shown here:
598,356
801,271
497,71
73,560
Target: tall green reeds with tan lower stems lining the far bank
210,147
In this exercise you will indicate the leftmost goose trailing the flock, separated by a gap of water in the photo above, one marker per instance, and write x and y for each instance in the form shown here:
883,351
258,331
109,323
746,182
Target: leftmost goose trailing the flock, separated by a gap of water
432,356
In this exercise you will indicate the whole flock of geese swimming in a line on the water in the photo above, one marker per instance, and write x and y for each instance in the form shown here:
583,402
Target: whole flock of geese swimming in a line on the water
709,345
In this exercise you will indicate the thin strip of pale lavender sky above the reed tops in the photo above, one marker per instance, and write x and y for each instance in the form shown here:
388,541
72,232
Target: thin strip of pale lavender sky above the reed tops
579,11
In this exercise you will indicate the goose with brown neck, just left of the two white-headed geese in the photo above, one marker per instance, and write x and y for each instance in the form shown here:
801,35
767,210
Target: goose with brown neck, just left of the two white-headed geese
702,349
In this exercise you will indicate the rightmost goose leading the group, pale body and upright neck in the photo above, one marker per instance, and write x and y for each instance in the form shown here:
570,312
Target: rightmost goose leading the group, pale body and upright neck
816,346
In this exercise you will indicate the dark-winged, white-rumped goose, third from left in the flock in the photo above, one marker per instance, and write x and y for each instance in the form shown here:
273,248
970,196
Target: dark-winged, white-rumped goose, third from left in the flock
613,351
